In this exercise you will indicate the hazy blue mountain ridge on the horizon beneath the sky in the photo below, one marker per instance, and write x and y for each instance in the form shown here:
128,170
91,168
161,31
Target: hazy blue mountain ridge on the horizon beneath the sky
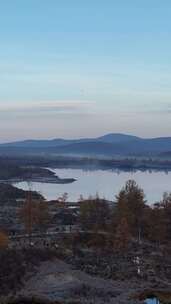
108,145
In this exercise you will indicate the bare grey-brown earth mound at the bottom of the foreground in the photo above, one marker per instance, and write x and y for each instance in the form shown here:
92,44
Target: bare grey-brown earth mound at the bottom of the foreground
58,282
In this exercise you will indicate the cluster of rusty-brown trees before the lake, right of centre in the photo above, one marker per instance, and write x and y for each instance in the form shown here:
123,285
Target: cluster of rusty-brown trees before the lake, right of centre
129,217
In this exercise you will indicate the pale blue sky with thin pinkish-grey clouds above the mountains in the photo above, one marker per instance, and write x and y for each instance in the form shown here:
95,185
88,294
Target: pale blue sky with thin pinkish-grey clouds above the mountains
72,68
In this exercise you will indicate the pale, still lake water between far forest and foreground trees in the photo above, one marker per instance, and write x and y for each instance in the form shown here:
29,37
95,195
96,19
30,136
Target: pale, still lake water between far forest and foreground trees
105,183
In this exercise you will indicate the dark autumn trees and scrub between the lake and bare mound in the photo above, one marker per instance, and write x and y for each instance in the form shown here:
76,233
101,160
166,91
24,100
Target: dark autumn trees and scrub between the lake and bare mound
123,241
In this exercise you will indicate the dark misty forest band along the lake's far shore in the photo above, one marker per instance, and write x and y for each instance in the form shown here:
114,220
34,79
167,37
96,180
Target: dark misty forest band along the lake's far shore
124,164
